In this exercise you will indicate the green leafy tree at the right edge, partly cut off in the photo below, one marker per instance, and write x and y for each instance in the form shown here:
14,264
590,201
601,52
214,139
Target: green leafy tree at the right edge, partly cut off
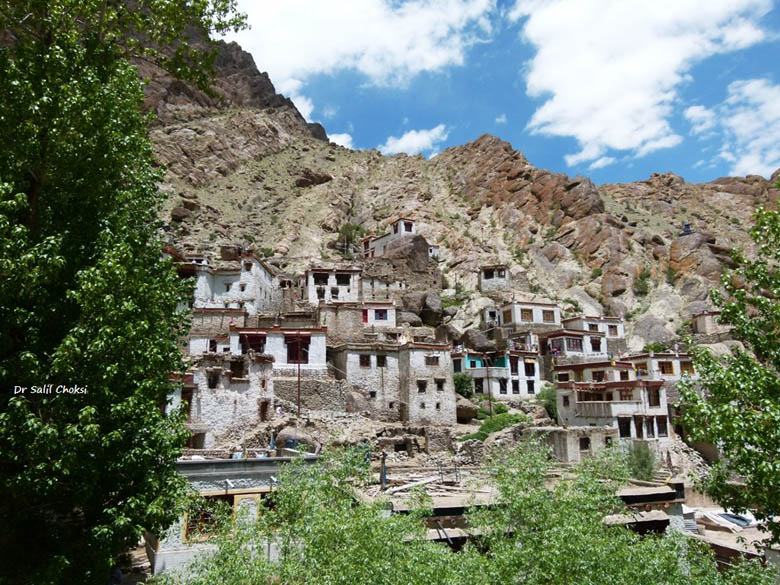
739,408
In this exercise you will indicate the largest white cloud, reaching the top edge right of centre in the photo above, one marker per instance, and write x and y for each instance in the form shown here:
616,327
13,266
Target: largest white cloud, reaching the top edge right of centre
609,70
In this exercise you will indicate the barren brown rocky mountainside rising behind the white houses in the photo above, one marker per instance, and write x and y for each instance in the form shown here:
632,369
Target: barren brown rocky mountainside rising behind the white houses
247,169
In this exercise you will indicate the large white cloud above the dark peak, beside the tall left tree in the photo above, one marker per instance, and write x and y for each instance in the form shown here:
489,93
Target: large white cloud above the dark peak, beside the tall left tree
386,40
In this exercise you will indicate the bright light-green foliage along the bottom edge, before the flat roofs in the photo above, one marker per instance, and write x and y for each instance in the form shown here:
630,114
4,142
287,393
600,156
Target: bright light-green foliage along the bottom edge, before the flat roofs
535,534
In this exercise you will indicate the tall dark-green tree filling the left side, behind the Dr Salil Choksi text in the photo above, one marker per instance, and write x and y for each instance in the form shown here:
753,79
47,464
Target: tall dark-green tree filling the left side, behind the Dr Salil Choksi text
86,300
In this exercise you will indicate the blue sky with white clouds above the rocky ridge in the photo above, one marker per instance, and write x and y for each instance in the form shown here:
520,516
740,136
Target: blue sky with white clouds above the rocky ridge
611,89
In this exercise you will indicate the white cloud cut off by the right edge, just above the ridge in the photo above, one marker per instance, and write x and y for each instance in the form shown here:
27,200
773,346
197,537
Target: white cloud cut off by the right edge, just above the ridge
750,121
